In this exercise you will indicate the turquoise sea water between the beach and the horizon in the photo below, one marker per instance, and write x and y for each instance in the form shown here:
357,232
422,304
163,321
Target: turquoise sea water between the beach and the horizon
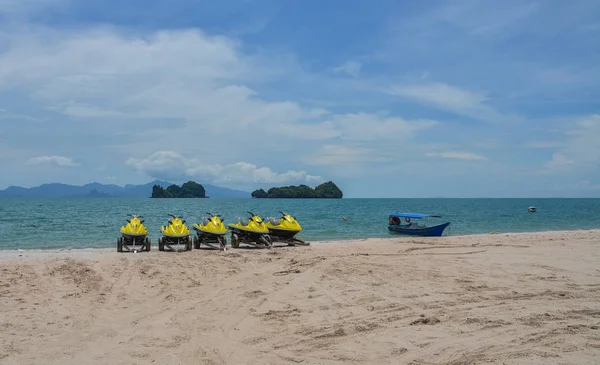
87,223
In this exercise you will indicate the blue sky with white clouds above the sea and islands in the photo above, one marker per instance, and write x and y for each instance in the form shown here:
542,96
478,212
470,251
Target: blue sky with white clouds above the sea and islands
385,98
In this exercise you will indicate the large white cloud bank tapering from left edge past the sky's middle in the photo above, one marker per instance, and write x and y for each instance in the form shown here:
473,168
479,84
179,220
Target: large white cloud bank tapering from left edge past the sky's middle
174,86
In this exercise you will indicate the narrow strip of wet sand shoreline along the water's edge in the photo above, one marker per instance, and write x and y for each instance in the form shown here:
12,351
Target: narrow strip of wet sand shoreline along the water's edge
399,238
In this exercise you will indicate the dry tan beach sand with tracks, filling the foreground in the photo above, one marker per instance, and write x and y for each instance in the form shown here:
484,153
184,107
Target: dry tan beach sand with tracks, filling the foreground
488,299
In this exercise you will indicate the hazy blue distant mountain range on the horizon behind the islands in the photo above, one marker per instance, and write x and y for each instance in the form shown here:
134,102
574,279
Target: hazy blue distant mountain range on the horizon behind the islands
97,190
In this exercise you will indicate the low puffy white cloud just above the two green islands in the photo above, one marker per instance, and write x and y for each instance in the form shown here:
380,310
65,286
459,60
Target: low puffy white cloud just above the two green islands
172,165
